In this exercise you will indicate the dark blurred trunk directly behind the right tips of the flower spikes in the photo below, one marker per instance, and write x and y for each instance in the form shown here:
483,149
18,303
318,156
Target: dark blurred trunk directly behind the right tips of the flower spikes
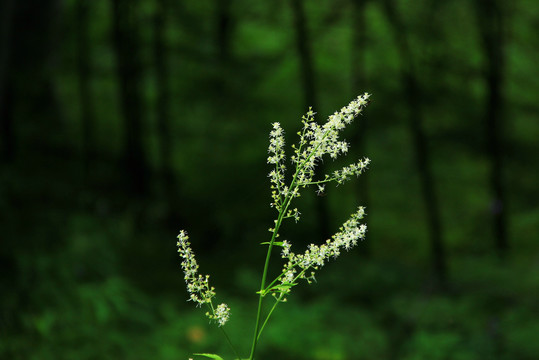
359,85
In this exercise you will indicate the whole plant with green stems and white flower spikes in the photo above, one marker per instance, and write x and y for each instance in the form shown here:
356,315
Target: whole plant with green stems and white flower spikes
315,142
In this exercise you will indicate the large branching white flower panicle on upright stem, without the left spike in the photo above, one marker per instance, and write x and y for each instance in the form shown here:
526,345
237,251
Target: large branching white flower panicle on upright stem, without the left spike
315,142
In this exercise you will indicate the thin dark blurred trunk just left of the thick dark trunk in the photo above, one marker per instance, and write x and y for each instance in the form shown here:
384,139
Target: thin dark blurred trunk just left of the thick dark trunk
84,56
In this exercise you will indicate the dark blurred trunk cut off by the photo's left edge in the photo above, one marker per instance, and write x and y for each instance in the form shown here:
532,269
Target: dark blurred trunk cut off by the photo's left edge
6,80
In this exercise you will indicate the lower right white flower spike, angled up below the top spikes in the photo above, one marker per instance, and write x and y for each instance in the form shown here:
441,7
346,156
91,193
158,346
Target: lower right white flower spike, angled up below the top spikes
316,256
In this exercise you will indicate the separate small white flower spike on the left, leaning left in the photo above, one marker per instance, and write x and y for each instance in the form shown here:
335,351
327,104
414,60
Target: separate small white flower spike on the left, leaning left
198,285
